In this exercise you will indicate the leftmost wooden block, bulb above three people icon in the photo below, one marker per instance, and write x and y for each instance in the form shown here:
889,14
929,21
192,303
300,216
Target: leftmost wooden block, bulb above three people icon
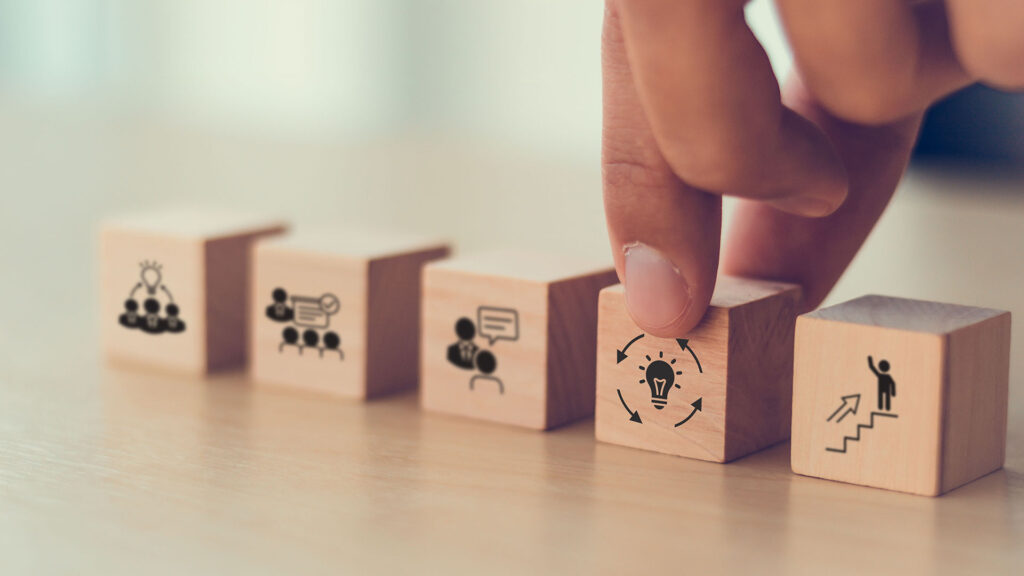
174,289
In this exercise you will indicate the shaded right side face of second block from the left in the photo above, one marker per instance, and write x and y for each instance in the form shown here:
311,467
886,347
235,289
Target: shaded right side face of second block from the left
394,321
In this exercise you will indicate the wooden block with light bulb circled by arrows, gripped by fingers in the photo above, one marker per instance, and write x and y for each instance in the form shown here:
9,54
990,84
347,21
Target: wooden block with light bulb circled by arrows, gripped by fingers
717,394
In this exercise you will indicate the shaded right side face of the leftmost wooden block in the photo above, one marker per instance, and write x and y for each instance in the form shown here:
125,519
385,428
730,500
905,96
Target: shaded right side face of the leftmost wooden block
228,280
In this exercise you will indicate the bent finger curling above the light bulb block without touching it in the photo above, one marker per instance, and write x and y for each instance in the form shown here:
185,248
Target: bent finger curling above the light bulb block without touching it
714,106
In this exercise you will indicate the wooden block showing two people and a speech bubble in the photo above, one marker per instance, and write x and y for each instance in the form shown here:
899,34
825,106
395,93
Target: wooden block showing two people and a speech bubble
510,338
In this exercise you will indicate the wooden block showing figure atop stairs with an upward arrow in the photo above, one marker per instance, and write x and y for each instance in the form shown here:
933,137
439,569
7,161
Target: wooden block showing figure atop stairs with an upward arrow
903,395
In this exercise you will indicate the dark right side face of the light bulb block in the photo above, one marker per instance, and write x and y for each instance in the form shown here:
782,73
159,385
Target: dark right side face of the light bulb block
759,400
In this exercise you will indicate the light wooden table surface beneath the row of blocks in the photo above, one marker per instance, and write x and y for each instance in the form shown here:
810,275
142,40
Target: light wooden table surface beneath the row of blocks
124,471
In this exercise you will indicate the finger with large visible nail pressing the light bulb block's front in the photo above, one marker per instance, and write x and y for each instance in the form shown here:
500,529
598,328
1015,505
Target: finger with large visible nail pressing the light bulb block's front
665,235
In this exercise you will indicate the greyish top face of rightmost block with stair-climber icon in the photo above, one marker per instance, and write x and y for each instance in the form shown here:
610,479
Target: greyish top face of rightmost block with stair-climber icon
906,315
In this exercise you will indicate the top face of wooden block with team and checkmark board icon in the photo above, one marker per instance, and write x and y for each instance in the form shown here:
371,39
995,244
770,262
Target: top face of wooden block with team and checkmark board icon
353,243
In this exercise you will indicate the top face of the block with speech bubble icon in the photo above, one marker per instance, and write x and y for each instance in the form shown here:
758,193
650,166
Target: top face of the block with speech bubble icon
531,267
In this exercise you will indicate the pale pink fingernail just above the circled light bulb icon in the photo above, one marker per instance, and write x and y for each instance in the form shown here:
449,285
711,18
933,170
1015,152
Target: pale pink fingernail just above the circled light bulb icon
657,295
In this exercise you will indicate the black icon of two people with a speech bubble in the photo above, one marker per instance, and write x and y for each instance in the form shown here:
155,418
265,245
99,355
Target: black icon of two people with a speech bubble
495,324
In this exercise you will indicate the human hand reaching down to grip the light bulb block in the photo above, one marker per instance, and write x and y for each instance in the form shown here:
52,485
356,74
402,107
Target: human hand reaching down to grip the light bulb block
693,112
